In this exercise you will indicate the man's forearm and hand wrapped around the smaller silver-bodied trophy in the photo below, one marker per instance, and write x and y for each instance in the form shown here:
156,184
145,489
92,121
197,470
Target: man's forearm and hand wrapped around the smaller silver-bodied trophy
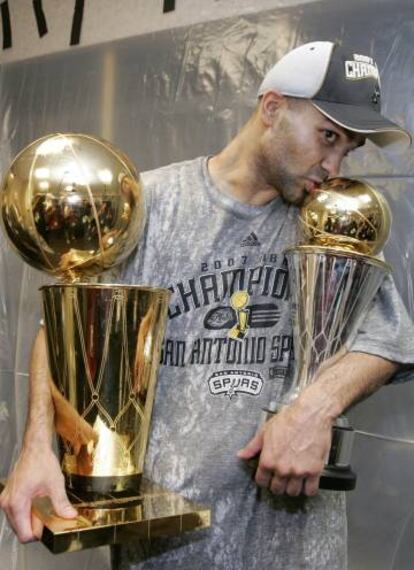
295,443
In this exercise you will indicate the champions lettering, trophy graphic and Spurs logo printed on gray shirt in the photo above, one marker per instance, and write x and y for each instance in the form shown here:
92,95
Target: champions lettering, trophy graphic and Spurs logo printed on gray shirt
238,305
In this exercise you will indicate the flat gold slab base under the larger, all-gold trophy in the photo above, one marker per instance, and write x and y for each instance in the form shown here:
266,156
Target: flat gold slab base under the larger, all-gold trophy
113,520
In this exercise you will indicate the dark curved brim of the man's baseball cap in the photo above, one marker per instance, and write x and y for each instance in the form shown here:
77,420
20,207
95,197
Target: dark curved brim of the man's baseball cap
374,126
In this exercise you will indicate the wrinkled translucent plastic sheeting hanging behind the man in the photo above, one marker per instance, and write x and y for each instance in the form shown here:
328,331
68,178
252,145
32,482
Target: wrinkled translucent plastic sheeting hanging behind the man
177,94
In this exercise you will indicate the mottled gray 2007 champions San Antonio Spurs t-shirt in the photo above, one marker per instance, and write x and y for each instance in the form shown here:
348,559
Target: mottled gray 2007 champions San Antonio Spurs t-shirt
217,375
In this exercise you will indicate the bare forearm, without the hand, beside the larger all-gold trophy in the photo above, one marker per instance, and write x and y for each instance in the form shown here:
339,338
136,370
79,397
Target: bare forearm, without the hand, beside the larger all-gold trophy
39,427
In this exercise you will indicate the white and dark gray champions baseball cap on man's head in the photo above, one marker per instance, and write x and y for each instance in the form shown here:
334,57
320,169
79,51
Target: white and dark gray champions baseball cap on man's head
343,85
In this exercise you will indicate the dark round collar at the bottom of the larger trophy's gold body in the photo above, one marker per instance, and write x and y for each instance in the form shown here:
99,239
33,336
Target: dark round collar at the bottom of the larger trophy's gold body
88,487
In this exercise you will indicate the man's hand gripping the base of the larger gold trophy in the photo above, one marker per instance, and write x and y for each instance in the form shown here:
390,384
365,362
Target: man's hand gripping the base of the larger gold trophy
36,473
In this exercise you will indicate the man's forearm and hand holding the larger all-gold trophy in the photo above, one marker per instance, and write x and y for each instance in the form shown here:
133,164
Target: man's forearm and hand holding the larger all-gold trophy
37,471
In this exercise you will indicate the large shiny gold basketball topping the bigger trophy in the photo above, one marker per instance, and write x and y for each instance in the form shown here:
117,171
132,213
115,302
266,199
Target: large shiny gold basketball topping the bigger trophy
72,205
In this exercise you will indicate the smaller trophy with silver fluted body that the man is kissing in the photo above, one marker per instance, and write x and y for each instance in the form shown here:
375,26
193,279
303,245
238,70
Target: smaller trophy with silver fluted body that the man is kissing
334,276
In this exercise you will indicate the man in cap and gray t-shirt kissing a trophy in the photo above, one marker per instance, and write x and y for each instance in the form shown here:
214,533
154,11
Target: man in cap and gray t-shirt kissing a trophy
215,234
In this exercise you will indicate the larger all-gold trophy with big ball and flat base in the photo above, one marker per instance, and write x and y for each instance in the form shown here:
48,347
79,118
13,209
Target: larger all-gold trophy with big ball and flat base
73,205
